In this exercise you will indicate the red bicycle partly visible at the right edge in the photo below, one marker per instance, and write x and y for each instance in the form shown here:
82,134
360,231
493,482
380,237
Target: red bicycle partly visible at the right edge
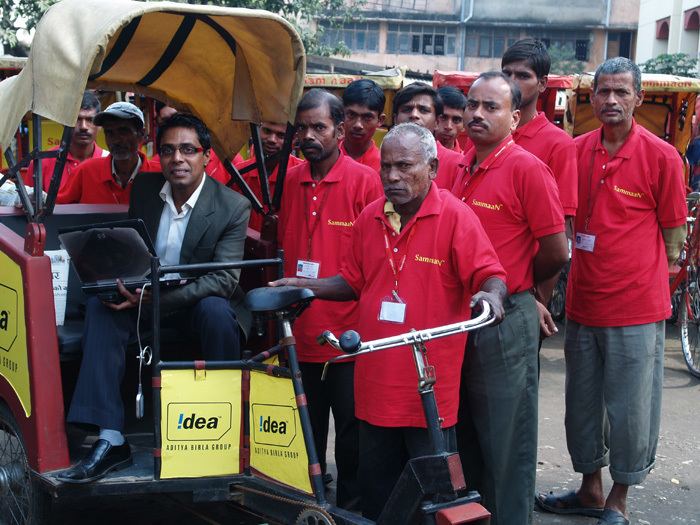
685,290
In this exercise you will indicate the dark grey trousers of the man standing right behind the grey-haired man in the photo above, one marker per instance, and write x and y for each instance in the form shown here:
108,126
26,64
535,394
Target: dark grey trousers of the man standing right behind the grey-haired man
497,427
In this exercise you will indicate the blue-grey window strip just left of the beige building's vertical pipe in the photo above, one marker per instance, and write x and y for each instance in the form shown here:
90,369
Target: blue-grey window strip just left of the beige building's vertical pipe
424,39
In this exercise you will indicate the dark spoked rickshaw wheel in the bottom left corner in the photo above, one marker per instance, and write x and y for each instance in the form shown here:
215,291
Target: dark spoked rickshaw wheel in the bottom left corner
21,501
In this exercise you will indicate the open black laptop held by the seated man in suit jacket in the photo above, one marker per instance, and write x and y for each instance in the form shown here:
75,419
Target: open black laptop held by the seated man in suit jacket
102,253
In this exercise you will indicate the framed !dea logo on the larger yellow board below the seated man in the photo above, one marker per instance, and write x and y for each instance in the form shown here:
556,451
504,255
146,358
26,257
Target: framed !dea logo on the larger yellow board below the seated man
198,421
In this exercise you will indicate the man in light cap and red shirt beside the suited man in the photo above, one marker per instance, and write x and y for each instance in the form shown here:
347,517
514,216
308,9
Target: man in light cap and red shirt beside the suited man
108,180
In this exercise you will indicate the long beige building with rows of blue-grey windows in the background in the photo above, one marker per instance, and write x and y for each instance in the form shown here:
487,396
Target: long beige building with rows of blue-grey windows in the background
471,35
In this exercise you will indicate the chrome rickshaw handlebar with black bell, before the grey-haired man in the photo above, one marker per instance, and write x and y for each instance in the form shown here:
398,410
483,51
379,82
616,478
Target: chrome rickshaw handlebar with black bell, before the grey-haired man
351,344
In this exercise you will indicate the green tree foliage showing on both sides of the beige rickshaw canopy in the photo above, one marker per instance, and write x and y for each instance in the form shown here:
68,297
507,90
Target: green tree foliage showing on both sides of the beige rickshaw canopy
300,13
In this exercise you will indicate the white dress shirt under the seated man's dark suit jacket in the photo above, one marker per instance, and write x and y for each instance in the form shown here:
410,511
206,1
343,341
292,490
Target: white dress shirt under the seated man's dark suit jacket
172,226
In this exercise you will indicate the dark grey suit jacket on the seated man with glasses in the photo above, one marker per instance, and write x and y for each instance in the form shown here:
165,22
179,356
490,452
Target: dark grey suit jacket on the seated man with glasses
216,232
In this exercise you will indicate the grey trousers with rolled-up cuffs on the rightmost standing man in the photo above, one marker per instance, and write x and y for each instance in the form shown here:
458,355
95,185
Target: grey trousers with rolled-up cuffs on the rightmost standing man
614,380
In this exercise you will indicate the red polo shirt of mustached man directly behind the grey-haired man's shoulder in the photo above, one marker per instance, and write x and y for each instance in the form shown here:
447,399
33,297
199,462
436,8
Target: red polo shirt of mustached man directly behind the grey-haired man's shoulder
516,198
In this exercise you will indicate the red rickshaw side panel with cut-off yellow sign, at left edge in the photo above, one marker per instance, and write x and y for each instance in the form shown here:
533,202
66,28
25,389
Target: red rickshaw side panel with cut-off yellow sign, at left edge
30,380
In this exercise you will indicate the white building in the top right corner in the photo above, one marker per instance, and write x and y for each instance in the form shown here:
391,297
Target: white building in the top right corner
668,26
